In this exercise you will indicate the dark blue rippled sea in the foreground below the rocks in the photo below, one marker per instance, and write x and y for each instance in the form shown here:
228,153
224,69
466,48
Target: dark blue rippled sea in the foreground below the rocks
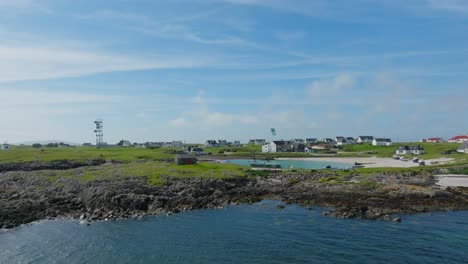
258,233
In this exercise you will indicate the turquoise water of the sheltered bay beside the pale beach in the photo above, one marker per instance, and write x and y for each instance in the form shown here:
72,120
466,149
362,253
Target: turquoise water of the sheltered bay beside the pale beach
297,164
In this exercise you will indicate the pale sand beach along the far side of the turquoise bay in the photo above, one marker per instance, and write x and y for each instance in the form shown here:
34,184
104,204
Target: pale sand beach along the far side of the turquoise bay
374,162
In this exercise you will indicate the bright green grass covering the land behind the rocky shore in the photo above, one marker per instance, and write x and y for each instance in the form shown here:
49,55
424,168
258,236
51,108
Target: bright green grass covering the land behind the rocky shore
156,163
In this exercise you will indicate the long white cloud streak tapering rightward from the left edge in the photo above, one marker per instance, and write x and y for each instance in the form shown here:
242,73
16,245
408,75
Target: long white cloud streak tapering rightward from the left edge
36,62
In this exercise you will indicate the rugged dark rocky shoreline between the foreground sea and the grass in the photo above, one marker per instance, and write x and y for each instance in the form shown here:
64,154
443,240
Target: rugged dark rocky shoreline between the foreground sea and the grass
25,197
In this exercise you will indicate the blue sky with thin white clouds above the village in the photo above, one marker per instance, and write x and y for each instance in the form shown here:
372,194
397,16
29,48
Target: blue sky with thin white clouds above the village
200,69
